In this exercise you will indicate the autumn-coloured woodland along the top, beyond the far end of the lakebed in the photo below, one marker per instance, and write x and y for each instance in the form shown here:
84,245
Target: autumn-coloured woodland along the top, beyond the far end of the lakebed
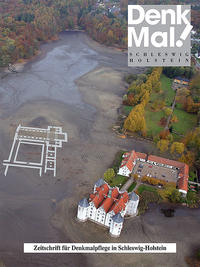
26,23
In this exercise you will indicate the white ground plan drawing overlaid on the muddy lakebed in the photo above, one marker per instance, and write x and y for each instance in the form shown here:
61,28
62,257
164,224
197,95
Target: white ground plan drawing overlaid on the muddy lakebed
44,141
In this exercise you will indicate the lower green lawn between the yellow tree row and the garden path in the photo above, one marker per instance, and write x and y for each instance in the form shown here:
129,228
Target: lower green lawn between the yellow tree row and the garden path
152,121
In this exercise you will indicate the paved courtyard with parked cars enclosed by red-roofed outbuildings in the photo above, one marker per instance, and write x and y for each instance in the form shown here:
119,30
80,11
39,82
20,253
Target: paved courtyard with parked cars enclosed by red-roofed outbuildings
163,173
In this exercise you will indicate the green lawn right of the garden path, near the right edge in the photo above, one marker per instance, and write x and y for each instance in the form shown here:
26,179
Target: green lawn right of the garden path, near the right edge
186,121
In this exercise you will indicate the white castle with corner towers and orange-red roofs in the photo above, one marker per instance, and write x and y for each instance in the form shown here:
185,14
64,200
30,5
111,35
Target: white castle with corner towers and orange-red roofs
108,206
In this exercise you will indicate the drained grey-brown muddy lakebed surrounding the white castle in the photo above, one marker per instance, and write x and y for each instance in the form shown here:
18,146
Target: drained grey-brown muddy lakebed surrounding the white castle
77,84
